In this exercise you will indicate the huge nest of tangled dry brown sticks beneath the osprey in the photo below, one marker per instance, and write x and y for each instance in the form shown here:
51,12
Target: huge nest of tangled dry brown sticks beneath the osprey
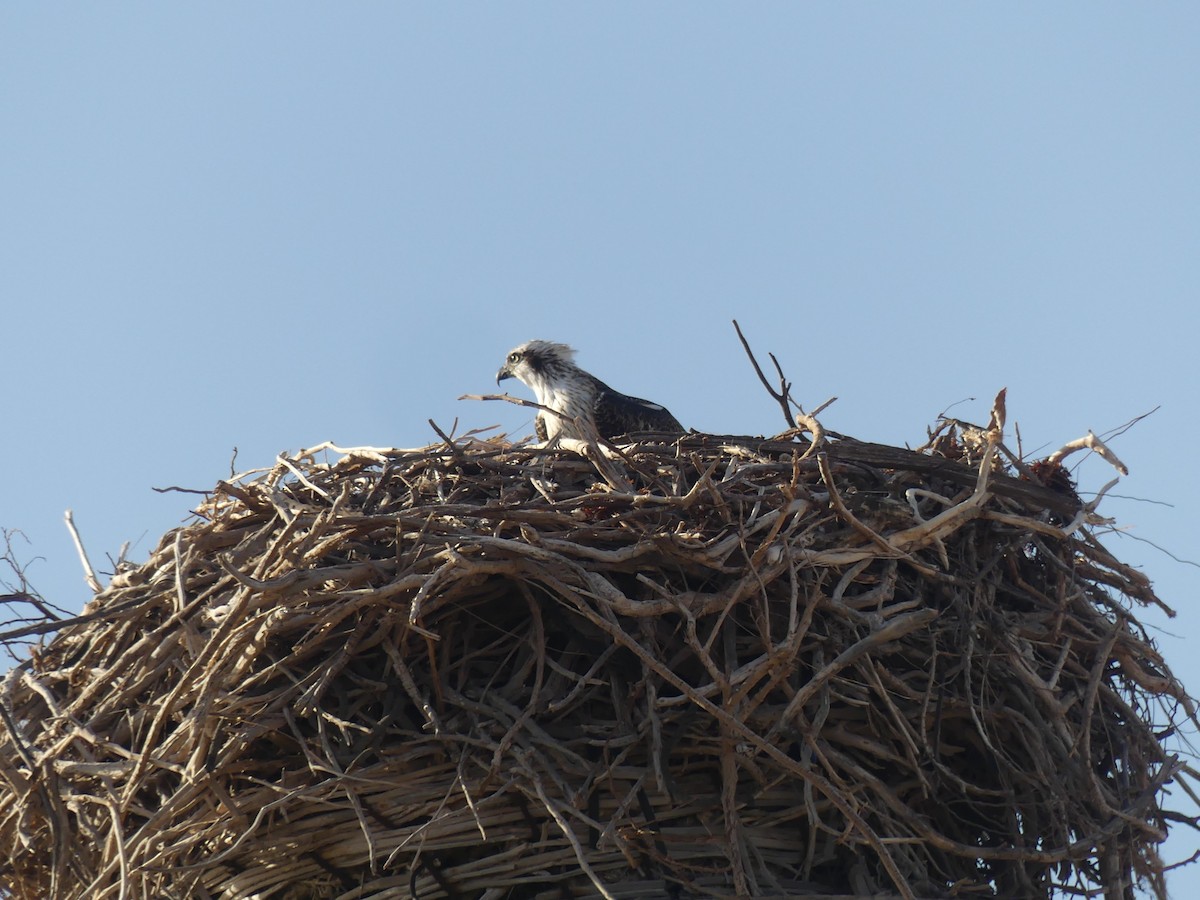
707,667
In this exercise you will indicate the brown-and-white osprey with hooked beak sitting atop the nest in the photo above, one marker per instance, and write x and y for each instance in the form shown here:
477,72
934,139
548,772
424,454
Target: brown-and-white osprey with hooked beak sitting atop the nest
550,370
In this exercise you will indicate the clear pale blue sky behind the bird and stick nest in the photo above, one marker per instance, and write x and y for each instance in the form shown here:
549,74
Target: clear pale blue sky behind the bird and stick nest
271,225
